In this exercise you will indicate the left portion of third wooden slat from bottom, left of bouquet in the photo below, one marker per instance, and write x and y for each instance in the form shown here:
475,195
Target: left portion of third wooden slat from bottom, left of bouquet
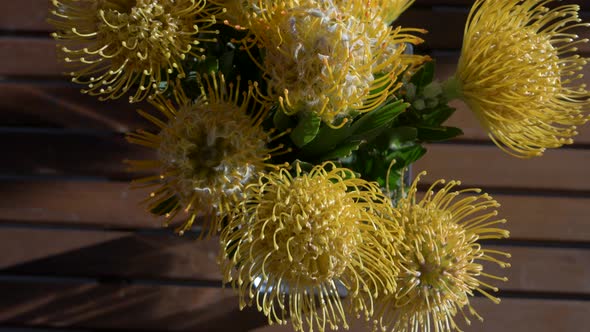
75,202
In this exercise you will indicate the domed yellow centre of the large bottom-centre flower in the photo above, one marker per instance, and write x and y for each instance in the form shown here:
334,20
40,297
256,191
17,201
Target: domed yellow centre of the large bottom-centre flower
313,230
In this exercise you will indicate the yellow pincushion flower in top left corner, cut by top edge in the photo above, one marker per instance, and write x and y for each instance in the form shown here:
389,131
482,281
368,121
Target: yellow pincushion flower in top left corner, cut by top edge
120,46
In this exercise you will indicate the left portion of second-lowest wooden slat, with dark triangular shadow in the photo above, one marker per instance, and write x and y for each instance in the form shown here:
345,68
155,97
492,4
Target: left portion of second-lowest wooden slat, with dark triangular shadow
101,254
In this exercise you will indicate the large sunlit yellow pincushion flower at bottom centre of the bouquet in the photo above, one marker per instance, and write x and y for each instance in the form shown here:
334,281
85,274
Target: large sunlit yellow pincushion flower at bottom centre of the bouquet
297,238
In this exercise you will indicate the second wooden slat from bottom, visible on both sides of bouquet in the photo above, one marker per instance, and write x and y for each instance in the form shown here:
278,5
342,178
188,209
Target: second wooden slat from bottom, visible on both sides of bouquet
167,256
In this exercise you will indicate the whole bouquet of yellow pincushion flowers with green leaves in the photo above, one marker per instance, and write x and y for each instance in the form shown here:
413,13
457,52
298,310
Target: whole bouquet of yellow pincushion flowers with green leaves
286,129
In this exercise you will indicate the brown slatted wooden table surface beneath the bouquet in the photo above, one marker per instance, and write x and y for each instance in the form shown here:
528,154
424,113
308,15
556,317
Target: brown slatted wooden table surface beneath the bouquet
78,253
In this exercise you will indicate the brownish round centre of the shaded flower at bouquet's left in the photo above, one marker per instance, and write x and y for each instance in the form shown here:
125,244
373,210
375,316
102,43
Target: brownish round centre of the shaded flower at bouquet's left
212,149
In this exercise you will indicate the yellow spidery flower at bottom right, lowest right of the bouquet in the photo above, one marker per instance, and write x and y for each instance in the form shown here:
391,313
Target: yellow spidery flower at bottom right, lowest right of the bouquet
442,259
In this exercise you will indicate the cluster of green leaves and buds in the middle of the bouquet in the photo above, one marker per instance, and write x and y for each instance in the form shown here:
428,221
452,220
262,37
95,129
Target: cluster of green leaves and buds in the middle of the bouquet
381,142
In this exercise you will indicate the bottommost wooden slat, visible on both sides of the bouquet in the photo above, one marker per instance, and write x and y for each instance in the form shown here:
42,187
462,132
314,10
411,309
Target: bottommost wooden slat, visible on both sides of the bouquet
202,309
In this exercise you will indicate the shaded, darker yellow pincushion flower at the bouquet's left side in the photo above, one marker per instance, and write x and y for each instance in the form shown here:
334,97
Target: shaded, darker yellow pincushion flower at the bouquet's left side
207,151
